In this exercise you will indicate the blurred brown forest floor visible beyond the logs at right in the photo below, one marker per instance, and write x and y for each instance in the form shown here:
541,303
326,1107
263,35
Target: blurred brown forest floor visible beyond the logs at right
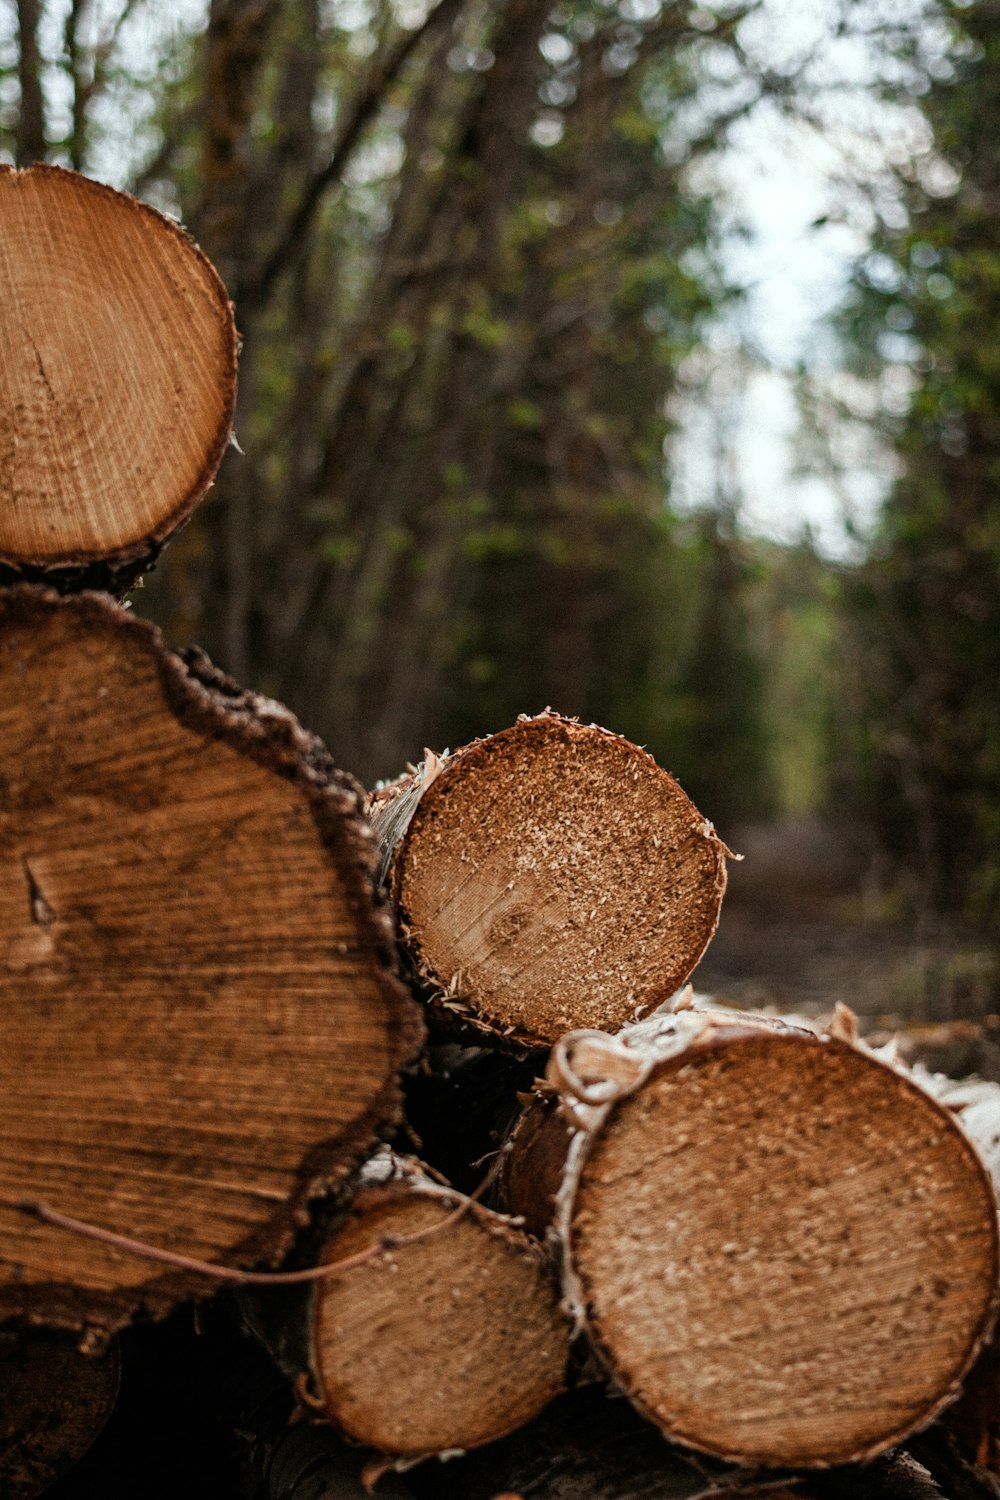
804,926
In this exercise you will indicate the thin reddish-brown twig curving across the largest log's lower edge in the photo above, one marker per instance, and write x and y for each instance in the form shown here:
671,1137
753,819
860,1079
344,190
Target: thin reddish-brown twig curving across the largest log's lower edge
34,1208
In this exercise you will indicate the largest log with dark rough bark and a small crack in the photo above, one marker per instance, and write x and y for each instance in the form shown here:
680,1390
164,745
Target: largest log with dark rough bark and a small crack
200,1025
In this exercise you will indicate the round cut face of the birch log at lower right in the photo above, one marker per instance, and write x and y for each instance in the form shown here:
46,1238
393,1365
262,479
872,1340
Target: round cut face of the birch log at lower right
786,1252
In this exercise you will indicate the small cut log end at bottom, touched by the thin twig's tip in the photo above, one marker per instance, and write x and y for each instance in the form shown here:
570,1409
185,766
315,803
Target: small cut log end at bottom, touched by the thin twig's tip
443,1345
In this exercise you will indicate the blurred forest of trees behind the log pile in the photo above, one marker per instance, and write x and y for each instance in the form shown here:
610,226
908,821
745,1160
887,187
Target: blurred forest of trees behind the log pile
482,254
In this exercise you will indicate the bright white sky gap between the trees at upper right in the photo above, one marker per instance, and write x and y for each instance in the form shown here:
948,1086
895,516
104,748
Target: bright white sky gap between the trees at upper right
806,197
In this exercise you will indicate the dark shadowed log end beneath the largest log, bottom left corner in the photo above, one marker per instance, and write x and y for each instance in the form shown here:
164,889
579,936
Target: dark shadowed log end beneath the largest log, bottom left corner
55,1402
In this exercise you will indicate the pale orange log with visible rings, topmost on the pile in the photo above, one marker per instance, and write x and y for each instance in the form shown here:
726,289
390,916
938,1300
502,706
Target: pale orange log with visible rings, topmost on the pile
118,379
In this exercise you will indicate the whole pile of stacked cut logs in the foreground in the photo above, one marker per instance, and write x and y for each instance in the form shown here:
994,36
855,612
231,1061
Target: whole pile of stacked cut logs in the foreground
720,1253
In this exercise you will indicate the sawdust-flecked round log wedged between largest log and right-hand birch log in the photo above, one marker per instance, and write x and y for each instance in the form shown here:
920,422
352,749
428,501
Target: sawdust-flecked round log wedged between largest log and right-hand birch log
548,878
